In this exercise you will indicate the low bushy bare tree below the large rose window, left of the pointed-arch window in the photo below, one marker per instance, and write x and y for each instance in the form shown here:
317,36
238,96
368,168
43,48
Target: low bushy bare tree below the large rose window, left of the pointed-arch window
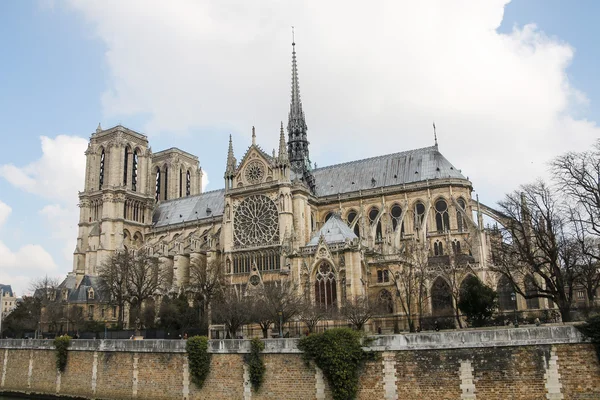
276,303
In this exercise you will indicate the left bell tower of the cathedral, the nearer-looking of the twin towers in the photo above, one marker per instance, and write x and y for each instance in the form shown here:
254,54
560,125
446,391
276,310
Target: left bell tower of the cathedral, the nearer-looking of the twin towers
117,200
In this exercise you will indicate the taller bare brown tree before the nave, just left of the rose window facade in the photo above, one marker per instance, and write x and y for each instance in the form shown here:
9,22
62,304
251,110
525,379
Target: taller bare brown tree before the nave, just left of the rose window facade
206,280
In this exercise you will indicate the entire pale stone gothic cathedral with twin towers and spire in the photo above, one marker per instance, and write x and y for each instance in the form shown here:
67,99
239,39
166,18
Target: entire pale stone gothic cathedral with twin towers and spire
335,231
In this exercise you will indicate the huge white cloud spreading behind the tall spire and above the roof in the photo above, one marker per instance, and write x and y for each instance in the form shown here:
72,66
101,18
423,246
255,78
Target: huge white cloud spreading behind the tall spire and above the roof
372,78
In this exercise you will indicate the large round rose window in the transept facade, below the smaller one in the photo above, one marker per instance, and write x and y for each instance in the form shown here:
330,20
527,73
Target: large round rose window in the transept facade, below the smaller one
256,222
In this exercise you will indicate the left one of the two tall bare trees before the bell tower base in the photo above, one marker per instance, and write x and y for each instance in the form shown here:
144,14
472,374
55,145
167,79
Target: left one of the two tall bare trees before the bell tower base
113,274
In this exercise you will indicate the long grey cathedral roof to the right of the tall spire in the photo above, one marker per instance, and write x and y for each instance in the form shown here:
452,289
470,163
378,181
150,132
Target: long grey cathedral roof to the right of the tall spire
388,170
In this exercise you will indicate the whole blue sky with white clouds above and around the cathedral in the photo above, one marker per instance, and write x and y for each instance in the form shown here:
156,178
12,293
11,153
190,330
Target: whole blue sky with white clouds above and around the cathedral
509,85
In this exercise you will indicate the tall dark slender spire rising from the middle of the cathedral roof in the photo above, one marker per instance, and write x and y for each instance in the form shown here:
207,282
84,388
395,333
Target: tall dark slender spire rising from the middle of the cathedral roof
297,138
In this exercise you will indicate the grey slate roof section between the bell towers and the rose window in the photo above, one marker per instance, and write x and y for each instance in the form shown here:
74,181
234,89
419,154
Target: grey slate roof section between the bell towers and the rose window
189,208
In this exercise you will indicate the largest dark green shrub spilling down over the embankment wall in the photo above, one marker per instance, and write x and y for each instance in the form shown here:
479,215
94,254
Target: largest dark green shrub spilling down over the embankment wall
338,352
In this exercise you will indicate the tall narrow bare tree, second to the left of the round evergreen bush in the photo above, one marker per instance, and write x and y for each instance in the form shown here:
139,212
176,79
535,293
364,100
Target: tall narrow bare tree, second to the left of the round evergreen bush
410,279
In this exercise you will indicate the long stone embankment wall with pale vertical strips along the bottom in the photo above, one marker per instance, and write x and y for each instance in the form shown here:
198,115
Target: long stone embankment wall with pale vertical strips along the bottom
523,363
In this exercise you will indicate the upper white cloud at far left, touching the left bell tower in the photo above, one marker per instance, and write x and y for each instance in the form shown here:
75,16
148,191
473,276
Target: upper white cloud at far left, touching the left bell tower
57,175
